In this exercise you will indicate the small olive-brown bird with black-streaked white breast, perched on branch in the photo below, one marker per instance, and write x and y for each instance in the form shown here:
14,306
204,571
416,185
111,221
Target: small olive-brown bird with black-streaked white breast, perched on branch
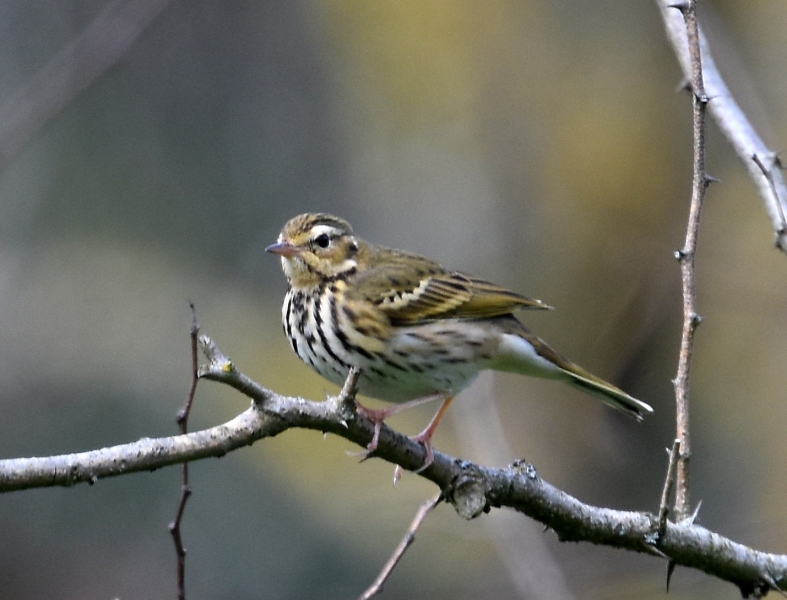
415,330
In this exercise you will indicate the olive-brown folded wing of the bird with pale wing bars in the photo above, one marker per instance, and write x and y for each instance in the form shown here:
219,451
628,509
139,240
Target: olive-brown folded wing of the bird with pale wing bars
409,289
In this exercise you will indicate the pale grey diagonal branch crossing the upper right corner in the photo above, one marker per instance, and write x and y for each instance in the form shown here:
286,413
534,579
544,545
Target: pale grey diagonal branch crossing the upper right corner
761,162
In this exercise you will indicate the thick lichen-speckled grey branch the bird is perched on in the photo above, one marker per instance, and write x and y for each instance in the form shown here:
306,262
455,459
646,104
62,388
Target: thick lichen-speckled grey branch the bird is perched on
470,488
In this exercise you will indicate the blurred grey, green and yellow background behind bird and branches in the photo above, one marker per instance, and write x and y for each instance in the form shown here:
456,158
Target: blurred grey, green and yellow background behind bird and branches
538,144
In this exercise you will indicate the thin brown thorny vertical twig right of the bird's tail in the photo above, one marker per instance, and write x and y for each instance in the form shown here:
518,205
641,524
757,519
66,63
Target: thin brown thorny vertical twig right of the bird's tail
686,257
